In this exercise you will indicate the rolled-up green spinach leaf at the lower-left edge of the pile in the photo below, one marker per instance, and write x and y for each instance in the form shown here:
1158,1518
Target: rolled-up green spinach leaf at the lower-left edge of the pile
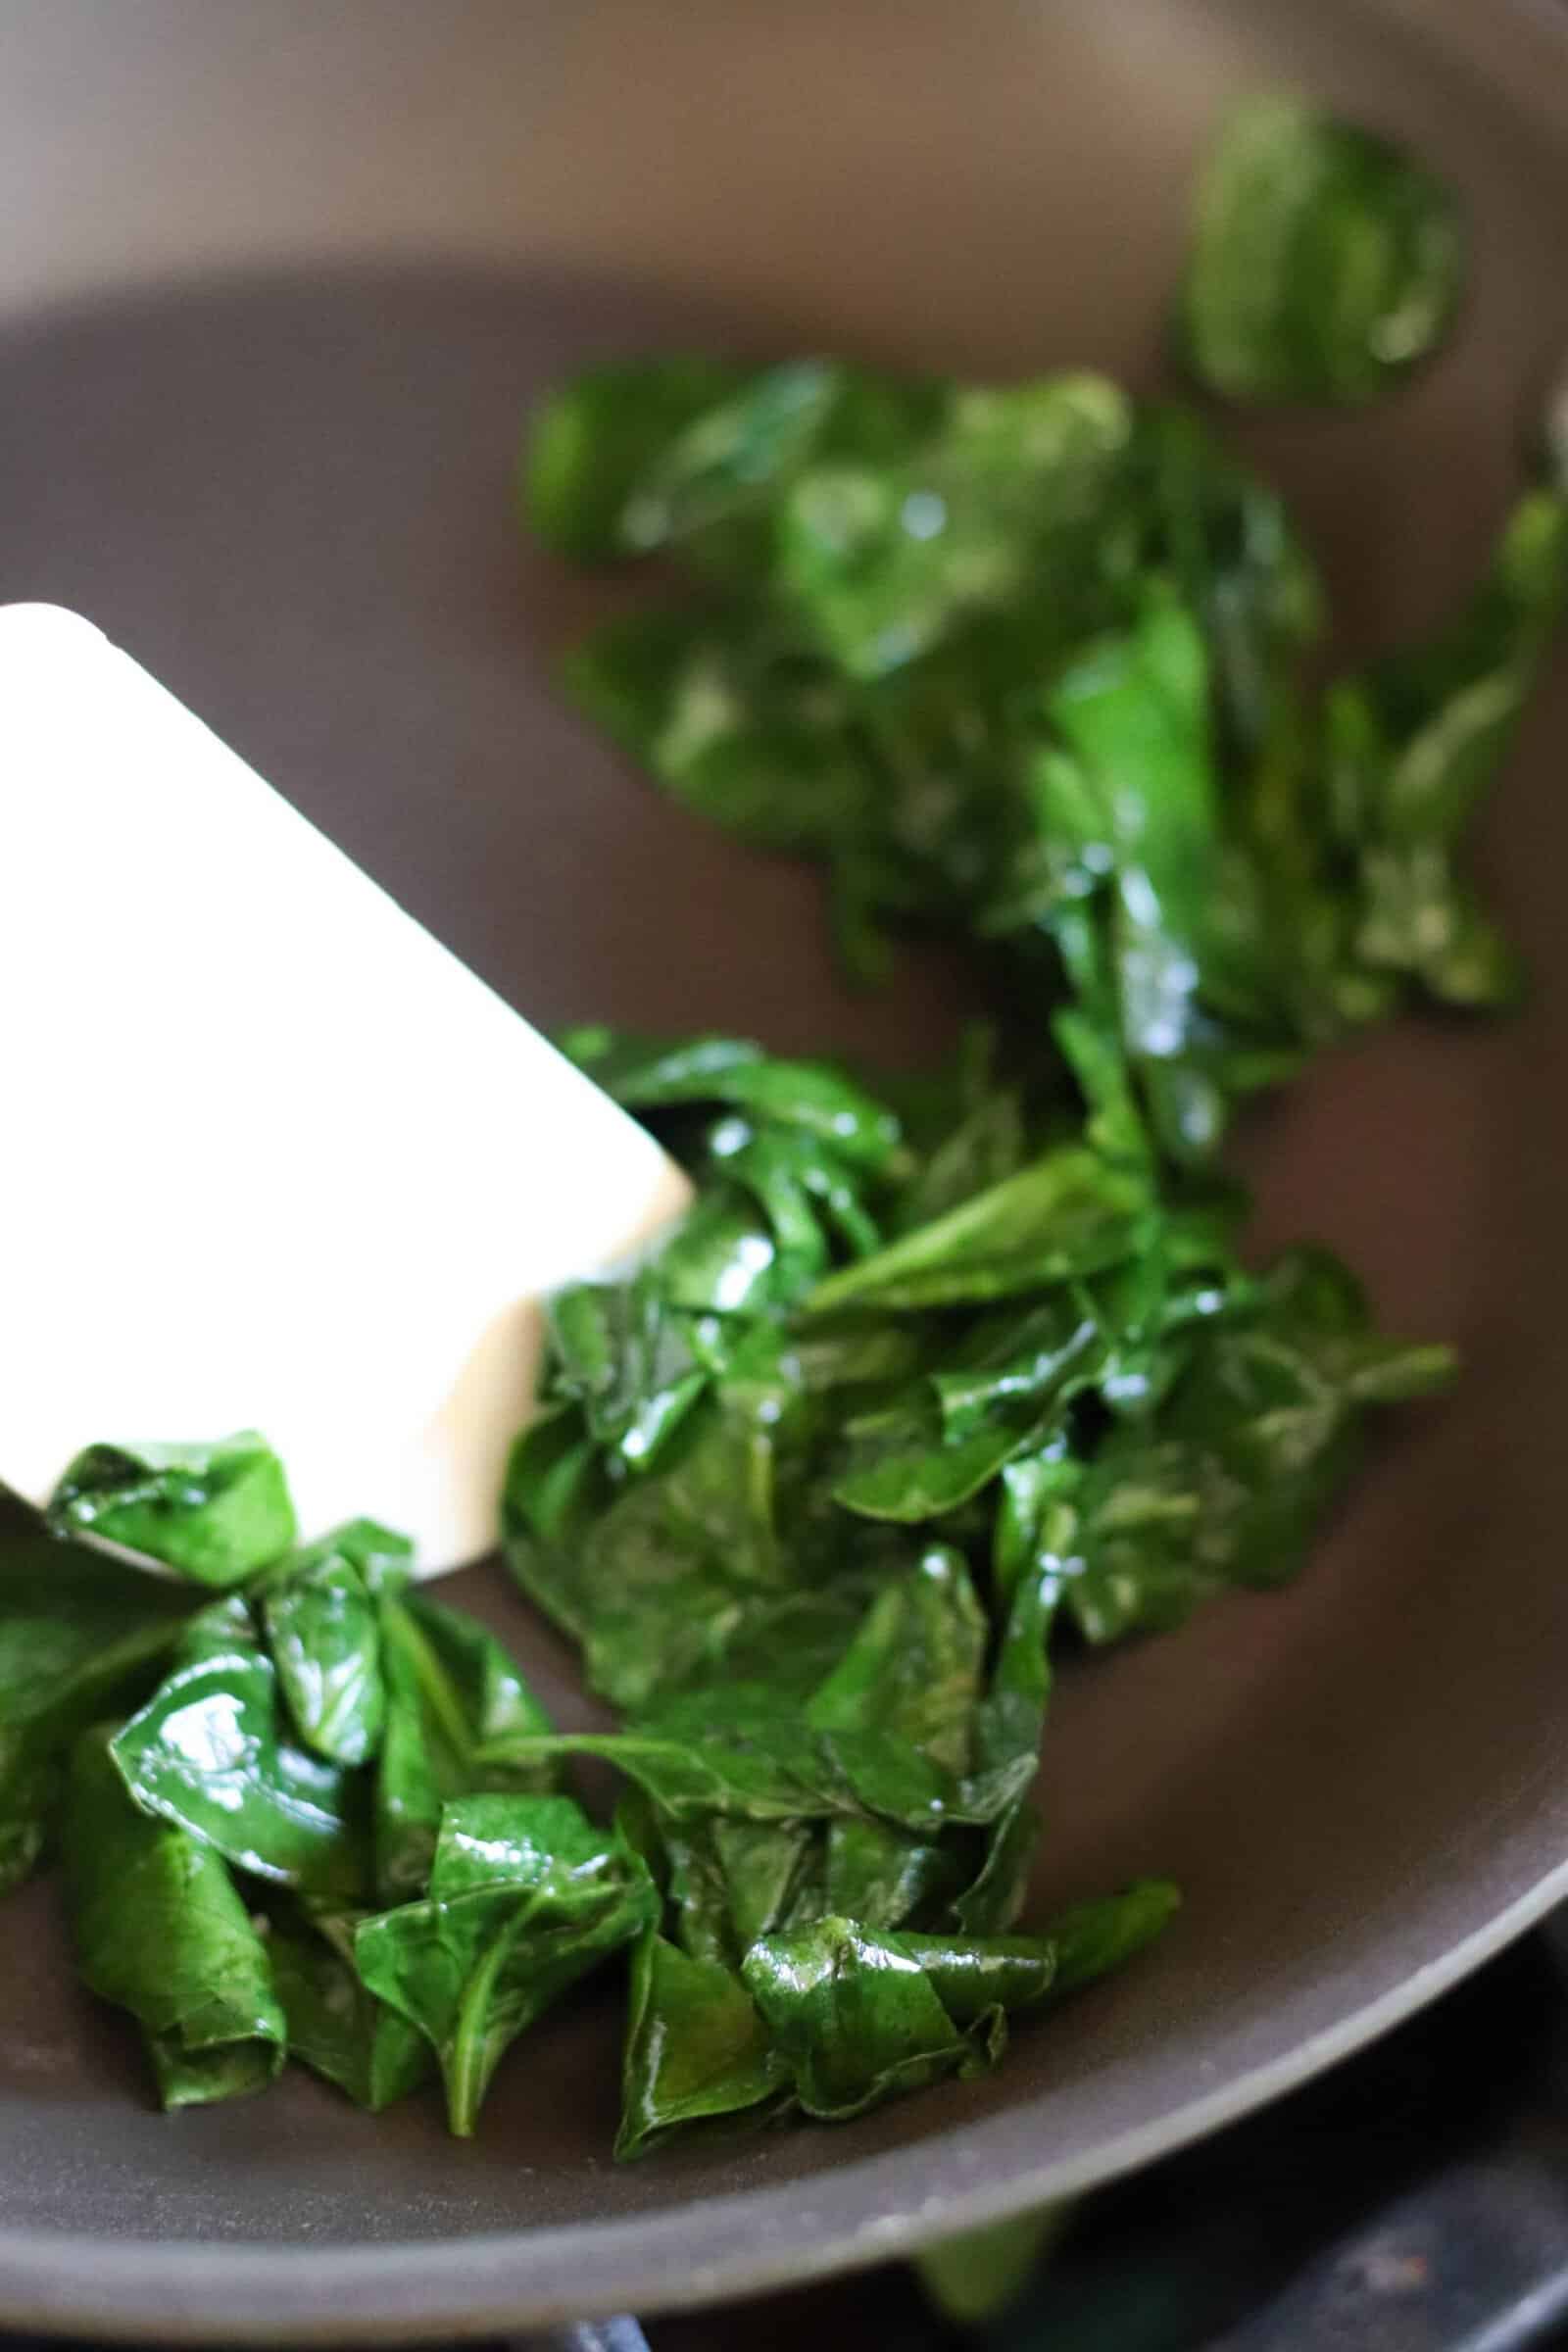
161,1932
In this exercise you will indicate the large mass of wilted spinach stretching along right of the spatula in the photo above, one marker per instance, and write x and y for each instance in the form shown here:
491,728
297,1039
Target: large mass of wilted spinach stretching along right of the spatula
934,1379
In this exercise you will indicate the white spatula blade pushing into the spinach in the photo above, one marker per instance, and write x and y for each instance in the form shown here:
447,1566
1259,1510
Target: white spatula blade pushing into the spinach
274,1158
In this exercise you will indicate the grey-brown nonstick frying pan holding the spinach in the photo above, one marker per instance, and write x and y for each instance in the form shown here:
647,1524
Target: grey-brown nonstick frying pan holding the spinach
279,288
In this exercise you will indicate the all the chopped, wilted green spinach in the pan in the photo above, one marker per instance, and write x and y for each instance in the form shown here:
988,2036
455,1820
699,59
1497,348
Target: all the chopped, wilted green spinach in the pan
937,1377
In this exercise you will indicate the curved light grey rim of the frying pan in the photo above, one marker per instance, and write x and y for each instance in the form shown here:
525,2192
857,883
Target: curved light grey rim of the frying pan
199,2292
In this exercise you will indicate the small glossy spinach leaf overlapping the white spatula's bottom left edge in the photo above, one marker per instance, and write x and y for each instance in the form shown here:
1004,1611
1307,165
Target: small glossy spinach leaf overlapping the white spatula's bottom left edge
210,1511
